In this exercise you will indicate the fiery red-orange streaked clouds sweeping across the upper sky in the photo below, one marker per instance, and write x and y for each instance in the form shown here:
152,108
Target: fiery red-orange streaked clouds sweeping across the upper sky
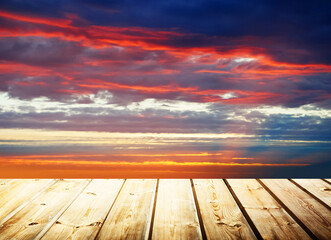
177,59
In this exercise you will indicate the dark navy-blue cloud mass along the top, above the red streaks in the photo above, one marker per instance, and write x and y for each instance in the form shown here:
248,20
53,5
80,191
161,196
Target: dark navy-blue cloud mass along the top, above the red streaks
300,30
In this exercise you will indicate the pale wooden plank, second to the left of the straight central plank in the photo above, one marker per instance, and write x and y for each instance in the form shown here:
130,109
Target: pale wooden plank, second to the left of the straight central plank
83,219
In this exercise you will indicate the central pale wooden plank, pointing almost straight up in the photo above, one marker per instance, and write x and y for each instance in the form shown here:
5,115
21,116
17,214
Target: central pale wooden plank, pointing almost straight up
175,213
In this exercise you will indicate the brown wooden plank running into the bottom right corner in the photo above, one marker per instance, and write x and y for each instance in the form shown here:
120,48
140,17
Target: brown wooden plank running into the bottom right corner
313,215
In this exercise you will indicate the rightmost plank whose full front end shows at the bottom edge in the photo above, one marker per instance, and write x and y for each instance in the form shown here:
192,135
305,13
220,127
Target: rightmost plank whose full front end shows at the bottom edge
270,219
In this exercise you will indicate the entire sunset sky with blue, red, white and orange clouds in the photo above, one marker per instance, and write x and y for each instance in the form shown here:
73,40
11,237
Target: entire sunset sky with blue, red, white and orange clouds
165,89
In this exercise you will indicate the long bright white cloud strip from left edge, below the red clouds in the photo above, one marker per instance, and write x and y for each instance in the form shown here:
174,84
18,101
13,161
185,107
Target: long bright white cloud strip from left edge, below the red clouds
99,101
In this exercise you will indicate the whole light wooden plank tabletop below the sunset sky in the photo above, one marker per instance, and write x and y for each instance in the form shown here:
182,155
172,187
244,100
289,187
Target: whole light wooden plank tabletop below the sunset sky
165,209
